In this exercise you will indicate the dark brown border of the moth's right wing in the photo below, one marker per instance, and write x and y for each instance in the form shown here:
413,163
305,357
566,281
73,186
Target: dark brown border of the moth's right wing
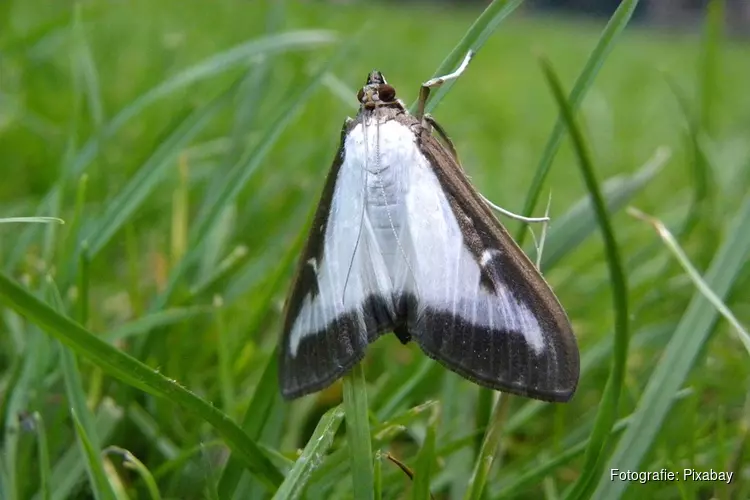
501,360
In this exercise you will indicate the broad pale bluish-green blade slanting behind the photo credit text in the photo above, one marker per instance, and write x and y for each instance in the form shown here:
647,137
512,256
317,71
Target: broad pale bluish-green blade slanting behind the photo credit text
681,353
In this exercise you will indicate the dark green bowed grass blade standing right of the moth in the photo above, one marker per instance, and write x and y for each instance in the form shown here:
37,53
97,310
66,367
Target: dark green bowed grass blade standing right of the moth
607,413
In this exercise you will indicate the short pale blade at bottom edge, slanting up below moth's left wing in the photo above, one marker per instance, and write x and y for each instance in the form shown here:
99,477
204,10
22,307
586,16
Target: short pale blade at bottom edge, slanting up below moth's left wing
311,457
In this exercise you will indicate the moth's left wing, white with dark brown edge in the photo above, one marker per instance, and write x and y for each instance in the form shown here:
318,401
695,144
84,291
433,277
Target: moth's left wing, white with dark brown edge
342,296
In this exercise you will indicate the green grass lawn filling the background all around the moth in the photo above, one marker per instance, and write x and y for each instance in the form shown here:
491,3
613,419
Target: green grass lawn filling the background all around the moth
184,144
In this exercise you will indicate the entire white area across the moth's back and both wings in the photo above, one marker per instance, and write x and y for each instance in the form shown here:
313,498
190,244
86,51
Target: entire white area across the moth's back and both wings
391,231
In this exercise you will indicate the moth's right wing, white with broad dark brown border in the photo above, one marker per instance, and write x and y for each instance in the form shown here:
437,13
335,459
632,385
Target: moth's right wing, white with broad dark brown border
480,307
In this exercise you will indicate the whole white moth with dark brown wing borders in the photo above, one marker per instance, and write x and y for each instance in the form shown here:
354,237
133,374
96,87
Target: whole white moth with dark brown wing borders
402,242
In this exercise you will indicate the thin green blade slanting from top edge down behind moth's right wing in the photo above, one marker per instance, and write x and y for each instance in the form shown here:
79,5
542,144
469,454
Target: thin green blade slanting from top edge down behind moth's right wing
583,83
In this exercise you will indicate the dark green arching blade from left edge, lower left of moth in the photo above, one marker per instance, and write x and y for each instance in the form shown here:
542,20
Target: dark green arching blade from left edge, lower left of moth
138,375
